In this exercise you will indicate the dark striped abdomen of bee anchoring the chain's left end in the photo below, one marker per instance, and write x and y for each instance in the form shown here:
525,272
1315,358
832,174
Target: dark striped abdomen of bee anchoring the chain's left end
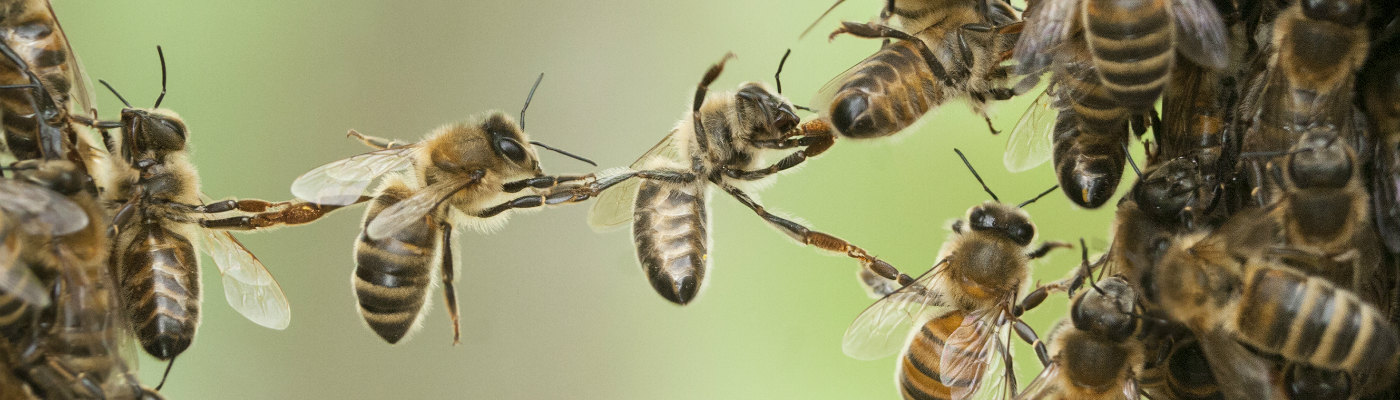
159,278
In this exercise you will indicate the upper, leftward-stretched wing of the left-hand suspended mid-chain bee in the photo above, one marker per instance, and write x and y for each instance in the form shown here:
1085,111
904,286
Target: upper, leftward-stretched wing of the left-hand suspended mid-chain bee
342,183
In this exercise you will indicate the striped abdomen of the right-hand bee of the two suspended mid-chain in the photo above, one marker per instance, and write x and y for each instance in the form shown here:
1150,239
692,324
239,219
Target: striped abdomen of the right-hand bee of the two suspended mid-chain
670,230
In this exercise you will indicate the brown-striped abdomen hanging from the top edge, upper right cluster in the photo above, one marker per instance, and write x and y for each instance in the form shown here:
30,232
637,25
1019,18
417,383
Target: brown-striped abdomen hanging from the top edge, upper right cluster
1130,43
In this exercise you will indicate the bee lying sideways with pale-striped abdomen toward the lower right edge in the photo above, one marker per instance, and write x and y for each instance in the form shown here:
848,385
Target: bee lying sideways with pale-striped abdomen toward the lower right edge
1231,294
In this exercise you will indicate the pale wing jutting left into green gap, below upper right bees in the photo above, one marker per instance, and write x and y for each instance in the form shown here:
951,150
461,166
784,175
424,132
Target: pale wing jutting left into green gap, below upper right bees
1031,141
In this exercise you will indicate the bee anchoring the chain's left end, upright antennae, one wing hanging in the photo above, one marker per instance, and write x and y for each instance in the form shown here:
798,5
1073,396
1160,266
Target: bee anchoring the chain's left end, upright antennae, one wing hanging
153,190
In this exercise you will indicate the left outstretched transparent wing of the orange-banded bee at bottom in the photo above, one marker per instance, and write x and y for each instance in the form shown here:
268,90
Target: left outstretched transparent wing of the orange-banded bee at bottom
884,328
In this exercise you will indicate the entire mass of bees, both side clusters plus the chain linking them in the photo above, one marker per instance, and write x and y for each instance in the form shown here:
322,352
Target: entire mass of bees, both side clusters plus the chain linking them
1256,255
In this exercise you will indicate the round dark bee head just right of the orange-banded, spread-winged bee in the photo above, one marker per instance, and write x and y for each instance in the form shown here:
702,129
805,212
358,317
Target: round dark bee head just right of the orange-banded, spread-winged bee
1105,310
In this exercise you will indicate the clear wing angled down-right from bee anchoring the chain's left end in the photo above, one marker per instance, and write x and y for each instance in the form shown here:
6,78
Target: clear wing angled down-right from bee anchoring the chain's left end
248,287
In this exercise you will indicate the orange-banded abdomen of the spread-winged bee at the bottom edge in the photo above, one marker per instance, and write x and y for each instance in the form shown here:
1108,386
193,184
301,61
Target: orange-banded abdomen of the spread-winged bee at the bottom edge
919,373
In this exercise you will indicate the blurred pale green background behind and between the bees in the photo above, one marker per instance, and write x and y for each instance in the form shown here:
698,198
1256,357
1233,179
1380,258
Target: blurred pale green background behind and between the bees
549,308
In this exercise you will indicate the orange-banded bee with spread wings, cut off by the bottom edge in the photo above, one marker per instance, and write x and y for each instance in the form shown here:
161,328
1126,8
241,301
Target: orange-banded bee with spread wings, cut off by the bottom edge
953,321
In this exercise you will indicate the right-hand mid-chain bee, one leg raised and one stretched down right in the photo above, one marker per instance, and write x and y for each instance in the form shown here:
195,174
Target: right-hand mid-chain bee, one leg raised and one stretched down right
720,142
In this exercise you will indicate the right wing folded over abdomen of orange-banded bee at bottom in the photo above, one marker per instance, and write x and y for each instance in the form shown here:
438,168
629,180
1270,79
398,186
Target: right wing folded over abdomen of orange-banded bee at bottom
974,362
